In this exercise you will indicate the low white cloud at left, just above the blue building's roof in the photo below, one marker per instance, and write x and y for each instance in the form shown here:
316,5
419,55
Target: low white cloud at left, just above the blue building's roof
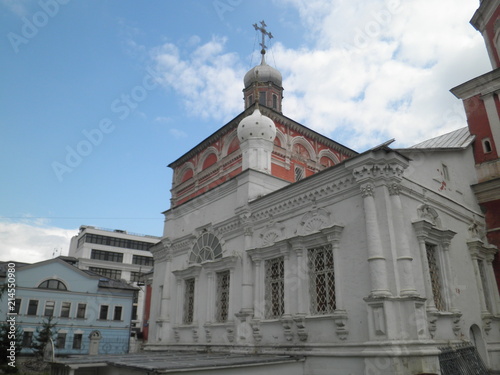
30,242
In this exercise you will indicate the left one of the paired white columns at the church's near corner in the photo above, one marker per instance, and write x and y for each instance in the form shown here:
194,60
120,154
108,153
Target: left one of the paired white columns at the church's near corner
376,259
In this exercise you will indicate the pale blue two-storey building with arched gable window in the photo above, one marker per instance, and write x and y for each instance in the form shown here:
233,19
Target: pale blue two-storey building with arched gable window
92,313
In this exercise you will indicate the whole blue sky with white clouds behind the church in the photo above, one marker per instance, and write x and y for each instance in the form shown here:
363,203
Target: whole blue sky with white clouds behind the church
99,96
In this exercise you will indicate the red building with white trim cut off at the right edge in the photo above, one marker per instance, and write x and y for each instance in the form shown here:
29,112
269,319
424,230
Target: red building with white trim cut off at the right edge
482,107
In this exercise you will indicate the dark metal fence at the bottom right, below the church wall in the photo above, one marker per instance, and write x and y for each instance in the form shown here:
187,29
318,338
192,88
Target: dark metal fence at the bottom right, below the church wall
461,360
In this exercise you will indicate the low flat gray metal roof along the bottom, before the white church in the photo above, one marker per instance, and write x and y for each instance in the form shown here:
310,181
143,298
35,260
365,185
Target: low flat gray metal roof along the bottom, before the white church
166,361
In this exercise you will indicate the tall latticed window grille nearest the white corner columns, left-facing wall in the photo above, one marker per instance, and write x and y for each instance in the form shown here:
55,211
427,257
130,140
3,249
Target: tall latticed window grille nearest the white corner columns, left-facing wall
321,280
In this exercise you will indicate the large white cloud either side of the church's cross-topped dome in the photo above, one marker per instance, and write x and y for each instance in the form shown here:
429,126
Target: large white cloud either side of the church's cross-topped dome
372,70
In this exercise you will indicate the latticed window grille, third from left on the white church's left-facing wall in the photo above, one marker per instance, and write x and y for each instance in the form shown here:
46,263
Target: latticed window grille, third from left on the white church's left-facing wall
274,288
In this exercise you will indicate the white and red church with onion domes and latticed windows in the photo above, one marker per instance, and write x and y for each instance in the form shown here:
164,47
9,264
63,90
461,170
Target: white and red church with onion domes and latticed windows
282,242
